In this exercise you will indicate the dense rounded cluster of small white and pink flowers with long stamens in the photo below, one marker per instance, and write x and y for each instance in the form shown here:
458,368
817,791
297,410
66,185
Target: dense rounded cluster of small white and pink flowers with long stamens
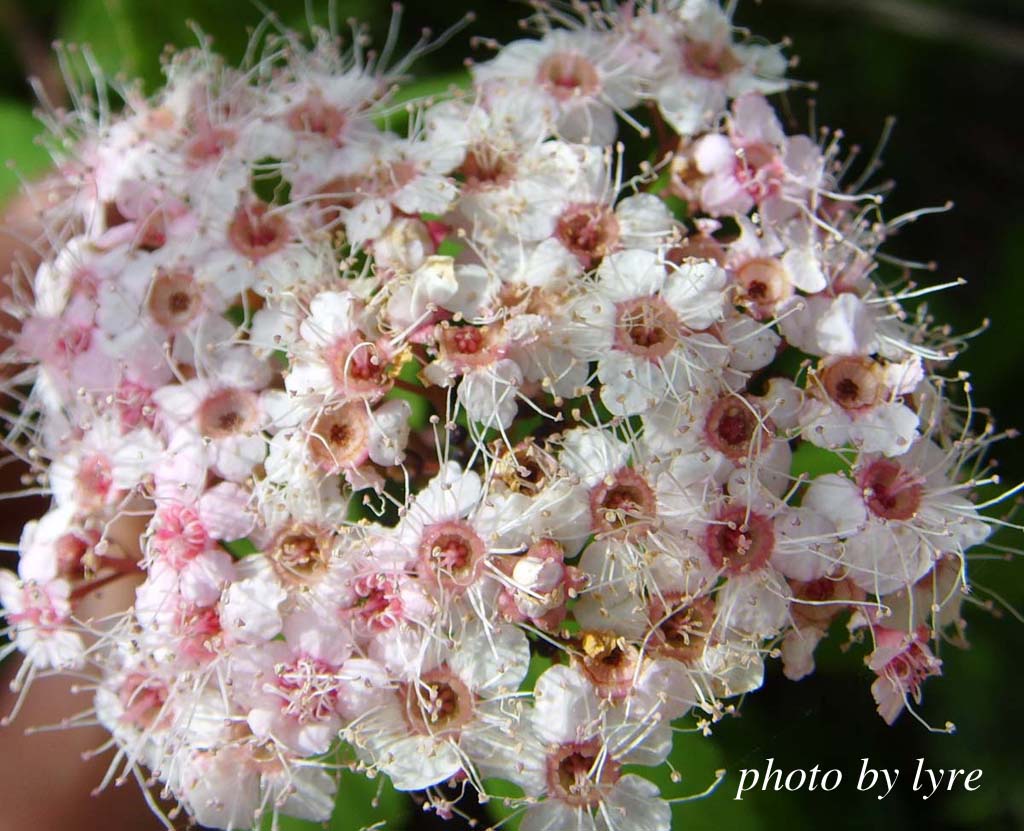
458,453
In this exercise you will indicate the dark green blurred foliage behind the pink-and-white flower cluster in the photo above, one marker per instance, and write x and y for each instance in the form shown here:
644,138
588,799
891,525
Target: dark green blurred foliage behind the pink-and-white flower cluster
953,72
